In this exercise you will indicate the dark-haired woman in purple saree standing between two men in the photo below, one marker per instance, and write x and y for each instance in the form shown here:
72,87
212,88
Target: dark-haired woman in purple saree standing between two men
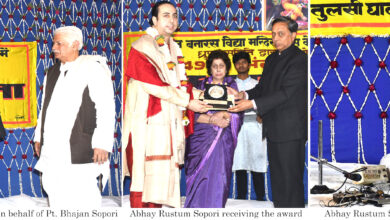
210,149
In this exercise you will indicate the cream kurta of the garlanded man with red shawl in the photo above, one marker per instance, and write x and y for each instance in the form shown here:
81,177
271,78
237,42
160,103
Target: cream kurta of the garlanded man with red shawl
158,141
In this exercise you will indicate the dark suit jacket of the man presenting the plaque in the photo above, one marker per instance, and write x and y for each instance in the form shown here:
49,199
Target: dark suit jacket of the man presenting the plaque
281,95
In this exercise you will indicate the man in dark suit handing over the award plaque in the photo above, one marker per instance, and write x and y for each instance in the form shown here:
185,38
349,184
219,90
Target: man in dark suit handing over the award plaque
280,98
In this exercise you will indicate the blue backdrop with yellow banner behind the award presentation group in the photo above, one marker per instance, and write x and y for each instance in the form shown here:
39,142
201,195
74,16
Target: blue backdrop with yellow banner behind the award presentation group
205,26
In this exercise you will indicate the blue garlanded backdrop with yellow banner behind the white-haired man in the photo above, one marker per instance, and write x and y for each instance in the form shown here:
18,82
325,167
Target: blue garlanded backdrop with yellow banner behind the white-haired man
32,22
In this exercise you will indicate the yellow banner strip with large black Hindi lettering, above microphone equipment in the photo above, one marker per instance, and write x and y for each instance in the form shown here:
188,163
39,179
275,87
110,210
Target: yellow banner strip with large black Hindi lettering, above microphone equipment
344,17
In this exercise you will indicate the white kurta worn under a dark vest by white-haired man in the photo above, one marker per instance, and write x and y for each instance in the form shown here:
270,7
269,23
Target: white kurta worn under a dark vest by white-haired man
59,174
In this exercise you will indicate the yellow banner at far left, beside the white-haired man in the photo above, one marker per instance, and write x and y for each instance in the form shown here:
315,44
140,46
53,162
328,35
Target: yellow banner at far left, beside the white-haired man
18,102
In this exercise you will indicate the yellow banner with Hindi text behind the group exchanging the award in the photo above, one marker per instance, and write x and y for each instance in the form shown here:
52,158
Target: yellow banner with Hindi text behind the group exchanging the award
196,47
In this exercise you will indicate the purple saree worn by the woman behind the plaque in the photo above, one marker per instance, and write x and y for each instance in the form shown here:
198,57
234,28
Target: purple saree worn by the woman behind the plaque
209,159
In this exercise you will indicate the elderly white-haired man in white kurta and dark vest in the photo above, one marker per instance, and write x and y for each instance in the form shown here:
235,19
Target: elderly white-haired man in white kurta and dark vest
76,124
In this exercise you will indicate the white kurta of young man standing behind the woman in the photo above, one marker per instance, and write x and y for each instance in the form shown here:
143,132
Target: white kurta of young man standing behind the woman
251,150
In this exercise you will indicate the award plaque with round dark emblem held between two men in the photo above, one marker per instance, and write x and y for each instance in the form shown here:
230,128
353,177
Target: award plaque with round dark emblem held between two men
217,96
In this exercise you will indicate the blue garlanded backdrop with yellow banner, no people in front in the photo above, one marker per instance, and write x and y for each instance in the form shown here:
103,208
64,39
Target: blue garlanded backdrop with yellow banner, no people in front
350,82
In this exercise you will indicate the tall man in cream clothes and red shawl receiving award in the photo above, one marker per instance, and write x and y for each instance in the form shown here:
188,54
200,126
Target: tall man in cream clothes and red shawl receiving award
157,96
